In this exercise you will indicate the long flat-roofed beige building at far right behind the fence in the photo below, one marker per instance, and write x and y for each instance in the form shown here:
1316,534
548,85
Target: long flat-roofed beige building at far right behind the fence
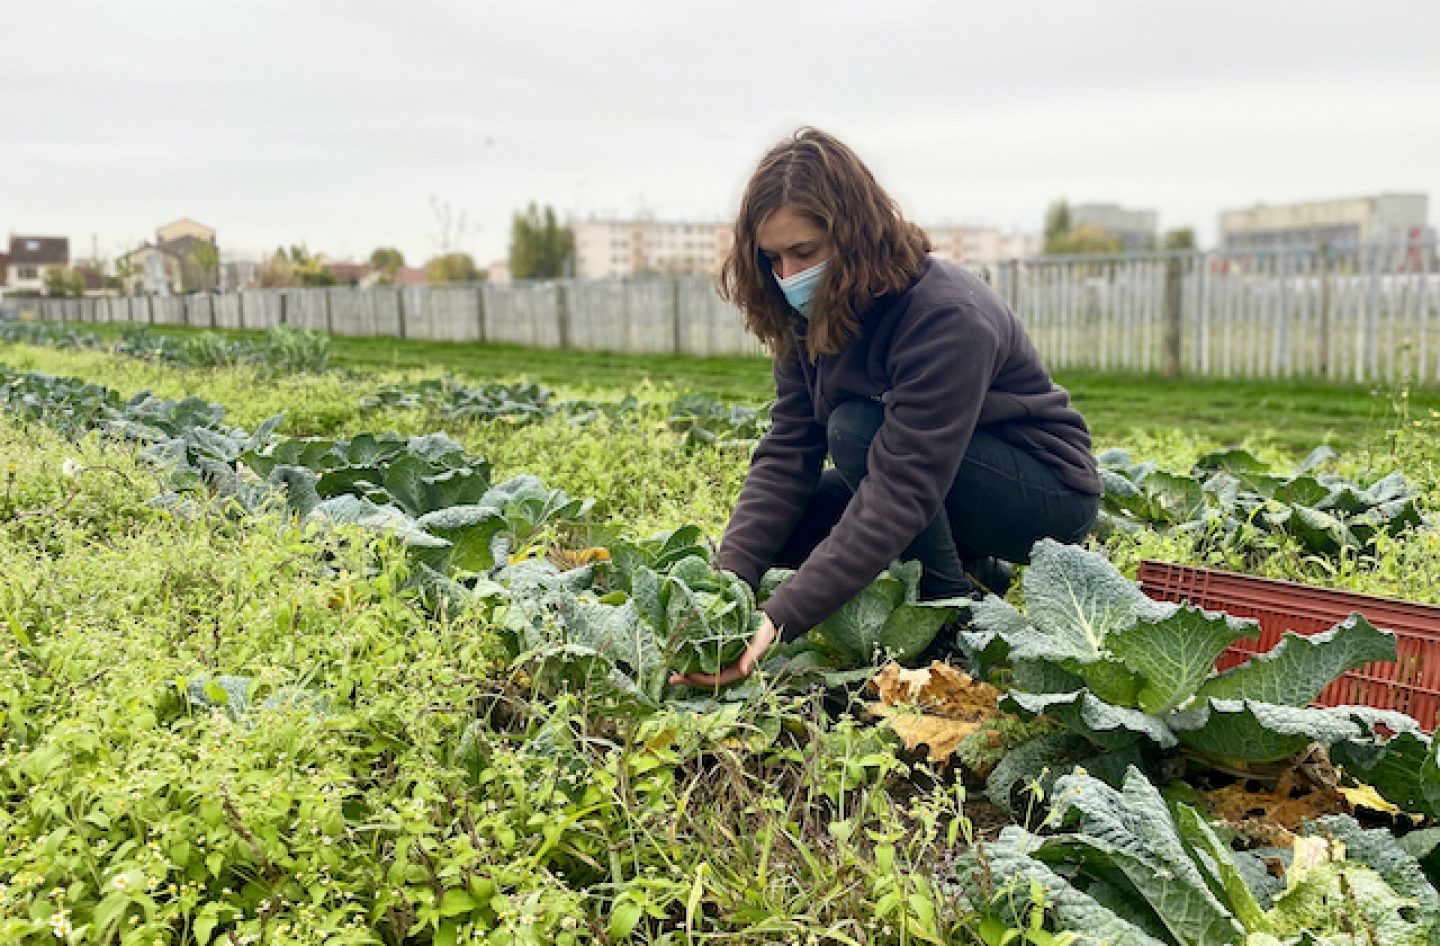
1400,220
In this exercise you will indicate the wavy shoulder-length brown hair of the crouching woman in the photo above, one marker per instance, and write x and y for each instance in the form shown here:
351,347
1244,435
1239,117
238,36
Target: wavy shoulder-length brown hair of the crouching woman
878,251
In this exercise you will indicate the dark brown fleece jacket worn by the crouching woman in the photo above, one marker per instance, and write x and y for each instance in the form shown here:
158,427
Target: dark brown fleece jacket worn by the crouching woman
945,358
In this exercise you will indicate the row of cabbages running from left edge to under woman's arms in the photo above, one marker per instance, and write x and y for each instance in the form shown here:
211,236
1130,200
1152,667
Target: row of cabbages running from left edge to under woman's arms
667,614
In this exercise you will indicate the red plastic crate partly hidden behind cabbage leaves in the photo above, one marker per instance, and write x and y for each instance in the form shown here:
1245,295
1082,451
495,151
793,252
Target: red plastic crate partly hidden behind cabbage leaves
1412,685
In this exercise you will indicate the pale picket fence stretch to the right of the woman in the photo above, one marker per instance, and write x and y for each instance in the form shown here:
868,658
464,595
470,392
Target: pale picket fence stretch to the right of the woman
1360,315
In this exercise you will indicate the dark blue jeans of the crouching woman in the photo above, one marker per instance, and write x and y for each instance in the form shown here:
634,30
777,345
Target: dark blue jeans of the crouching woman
1002,503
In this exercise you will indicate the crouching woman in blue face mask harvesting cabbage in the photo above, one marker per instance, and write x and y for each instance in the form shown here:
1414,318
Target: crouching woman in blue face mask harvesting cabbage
950,441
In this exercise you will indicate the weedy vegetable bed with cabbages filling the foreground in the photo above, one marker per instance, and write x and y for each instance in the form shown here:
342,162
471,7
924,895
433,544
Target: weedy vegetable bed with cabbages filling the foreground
359,688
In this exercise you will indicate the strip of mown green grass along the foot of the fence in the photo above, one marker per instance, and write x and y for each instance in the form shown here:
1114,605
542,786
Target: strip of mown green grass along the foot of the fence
1290,415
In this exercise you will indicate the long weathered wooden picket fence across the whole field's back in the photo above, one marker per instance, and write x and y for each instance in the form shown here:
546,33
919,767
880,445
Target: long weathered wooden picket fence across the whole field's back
1360,315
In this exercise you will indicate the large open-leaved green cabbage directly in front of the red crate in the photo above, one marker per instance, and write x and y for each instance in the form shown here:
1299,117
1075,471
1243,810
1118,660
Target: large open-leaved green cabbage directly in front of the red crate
1095,654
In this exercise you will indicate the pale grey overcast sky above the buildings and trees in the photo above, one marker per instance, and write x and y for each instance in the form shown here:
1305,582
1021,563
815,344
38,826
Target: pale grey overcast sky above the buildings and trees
341,123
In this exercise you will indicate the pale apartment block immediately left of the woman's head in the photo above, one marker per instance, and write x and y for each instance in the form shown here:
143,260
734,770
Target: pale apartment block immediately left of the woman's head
640,247
